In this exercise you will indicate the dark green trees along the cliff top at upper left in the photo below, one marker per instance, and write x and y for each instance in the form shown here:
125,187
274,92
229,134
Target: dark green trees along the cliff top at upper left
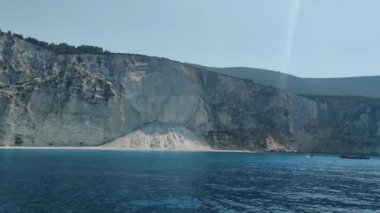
61,48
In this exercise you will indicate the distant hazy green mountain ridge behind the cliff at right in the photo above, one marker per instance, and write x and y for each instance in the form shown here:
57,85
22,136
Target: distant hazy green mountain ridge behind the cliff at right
350,86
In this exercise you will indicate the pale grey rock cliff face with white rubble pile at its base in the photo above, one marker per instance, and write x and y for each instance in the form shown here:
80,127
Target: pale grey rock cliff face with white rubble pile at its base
135,101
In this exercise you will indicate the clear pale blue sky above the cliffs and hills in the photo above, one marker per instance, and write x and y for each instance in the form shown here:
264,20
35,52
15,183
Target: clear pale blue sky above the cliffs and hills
306,38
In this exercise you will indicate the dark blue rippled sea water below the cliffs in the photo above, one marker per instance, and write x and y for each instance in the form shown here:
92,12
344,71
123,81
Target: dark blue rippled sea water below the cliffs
121,181
